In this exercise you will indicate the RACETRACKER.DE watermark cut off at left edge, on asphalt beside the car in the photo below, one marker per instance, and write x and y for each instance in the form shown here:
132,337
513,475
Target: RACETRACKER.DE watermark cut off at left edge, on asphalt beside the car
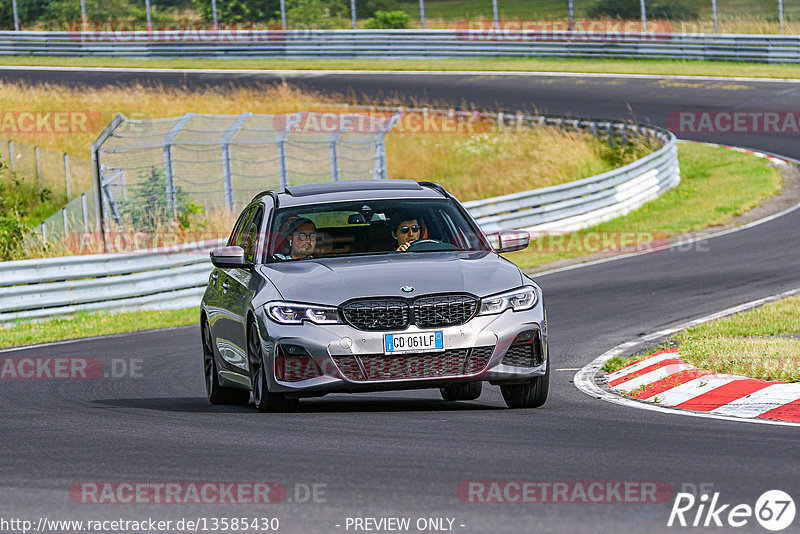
69,368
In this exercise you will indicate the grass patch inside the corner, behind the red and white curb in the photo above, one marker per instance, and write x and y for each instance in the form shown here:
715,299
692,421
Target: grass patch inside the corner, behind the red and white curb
743,344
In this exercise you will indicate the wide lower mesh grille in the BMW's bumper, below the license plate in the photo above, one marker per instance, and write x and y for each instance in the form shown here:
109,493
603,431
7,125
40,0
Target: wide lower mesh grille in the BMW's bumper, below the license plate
454,362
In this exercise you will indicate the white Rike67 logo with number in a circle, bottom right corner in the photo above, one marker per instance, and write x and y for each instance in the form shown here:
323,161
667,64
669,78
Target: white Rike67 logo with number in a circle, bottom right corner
774,510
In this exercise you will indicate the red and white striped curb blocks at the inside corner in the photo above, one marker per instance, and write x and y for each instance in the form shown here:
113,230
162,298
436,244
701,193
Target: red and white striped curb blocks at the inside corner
665,379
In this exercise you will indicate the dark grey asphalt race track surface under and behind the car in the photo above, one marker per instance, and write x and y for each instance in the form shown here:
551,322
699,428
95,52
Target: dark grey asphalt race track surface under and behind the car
405,454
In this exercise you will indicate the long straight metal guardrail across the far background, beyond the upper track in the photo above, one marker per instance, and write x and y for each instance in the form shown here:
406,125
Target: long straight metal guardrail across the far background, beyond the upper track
403,44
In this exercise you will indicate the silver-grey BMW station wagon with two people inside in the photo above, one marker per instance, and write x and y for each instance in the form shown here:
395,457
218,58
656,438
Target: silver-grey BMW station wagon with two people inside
362,286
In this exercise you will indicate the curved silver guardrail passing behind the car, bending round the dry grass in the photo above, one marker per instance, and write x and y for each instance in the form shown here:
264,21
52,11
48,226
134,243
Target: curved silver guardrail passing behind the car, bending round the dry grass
176,277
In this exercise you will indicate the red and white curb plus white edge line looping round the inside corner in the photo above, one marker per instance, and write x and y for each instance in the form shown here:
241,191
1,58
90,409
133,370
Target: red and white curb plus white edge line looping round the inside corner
730,404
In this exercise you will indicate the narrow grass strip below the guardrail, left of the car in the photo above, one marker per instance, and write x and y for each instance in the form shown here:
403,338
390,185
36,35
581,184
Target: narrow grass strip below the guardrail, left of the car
86,324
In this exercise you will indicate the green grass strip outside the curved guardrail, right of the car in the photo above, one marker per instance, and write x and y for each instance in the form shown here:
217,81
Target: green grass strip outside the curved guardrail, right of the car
716,185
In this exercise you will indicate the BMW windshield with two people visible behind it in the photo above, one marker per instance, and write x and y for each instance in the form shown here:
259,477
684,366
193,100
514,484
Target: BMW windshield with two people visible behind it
371,227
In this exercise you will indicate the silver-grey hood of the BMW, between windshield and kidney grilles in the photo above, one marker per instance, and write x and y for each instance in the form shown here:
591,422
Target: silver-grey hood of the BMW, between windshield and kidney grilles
332,281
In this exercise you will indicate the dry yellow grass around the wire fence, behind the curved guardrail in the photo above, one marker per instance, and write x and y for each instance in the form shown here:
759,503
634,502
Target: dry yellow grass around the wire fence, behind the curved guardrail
472,163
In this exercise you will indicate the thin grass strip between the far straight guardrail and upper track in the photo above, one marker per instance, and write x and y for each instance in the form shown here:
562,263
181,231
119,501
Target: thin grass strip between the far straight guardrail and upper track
663,67
